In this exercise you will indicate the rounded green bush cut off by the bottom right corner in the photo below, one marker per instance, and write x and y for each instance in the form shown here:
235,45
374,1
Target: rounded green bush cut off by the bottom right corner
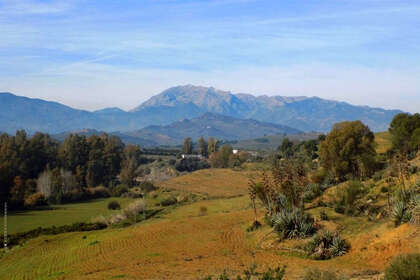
404,267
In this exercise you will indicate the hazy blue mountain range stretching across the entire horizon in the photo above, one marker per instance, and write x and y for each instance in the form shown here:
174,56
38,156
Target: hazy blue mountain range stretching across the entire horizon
177,104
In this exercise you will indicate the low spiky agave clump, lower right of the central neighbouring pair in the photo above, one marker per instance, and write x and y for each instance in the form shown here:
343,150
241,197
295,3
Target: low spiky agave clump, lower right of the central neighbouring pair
326,245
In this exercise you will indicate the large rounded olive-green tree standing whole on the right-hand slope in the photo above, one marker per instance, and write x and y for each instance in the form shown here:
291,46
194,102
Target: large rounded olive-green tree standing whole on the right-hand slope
349,149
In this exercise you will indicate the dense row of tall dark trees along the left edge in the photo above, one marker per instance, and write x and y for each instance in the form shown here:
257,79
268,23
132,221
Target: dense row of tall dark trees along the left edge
38,169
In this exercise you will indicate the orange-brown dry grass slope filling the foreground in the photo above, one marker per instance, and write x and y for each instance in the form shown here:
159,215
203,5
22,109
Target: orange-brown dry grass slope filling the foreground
185,244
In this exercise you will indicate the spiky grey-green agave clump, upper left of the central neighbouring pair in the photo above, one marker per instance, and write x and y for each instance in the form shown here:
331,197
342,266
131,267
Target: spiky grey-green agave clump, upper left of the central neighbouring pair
293,223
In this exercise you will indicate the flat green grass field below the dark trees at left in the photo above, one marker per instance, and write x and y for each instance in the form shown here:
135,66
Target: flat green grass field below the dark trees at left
64,214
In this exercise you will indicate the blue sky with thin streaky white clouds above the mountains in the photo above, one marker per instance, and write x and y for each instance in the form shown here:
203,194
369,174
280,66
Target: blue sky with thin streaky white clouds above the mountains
94,54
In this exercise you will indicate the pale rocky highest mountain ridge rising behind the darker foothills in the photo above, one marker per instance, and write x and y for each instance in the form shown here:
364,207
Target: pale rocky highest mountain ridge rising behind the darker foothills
304,113
